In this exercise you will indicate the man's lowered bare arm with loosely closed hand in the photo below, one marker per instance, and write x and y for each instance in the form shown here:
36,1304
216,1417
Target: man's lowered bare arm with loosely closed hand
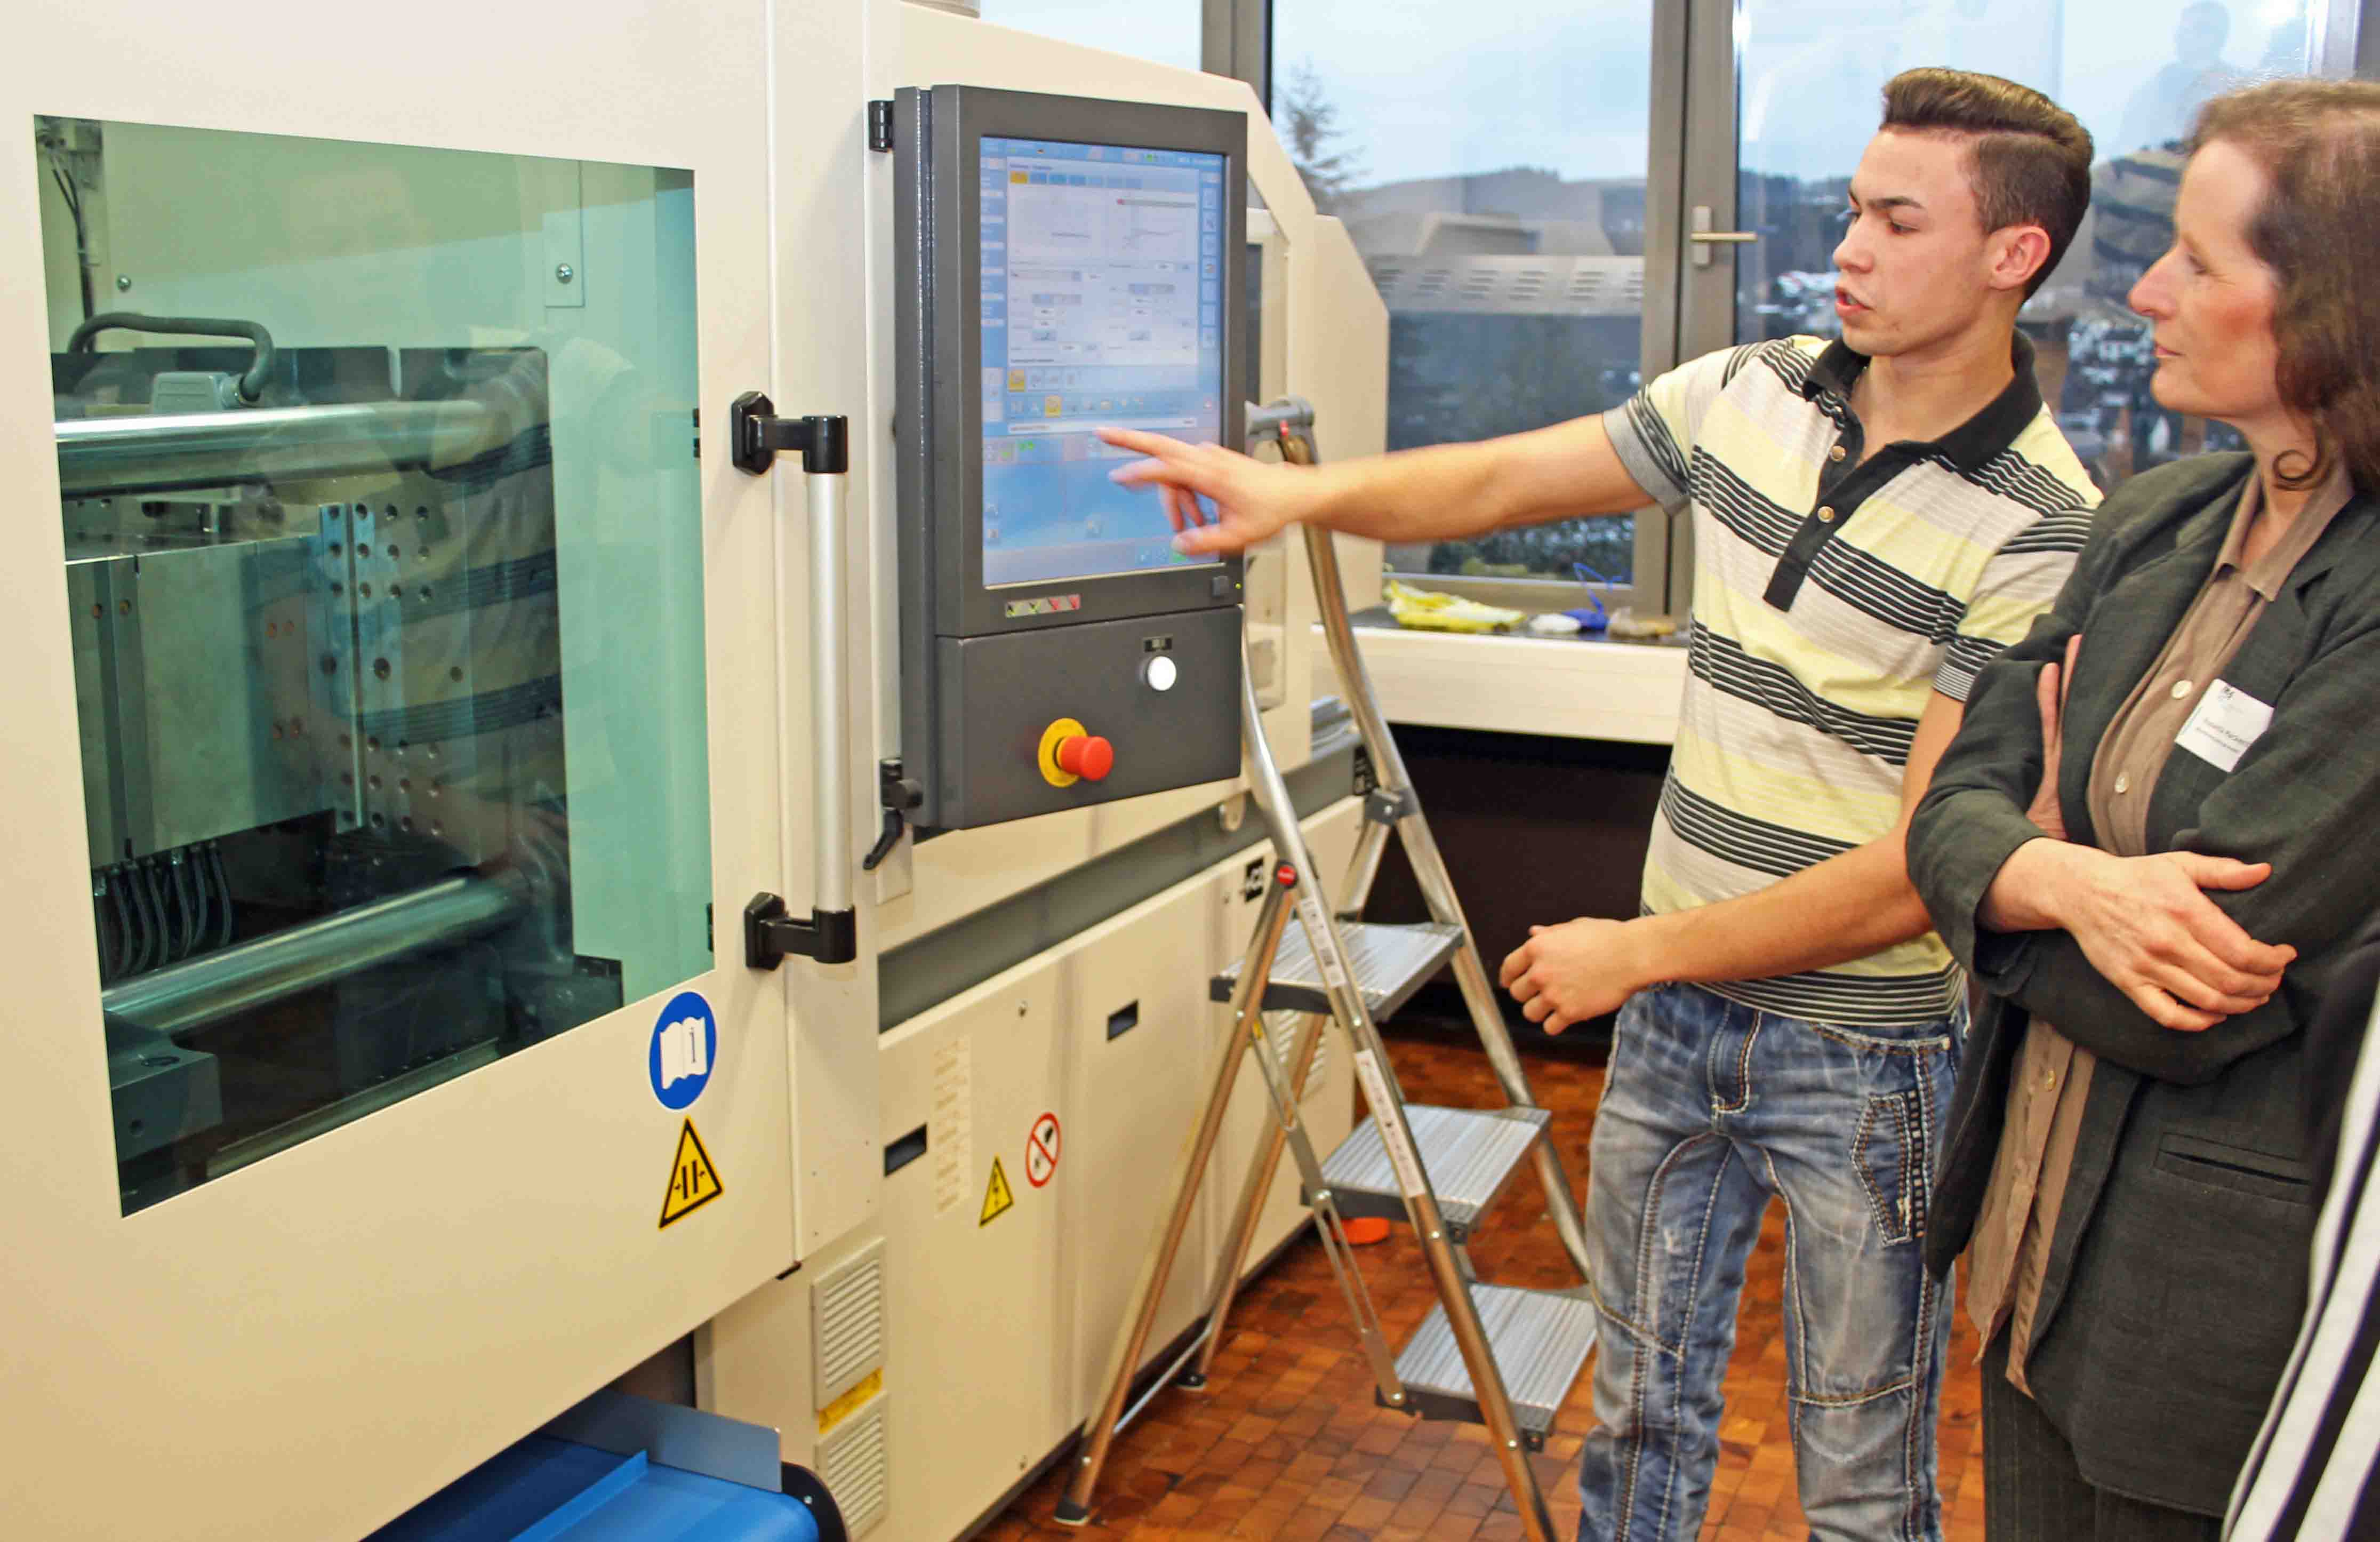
1831,913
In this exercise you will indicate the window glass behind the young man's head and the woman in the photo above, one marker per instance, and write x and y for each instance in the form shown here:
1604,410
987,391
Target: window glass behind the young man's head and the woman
1810,99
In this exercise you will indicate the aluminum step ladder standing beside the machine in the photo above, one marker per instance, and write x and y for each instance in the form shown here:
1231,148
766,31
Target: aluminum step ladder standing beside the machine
1486,1355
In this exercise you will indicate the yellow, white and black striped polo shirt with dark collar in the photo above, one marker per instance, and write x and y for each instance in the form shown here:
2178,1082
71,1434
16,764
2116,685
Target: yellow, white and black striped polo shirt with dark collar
1834,594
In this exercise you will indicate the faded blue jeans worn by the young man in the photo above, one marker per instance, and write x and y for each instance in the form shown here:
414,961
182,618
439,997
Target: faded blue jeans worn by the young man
1710,1110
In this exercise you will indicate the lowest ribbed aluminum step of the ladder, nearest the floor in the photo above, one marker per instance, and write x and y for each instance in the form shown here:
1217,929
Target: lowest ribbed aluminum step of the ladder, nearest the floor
1541,1341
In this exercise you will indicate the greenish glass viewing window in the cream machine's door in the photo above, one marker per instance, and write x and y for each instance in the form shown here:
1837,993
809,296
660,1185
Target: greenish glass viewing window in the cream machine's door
384,565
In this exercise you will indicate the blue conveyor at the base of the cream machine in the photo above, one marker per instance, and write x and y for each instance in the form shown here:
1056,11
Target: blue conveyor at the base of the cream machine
558,1491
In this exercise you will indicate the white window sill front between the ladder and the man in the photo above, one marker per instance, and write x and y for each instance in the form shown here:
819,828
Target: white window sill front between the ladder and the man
1522,684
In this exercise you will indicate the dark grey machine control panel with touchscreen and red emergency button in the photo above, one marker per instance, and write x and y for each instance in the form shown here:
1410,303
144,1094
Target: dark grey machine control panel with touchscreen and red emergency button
1067,265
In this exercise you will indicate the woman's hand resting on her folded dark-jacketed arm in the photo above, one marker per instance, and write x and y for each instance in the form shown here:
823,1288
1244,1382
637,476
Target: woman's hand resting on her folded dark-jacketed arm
2148,927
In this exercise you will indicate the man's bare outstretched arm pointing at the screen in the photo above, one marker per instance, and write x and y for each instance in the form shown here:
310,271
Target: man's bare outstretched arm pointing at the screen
1436,494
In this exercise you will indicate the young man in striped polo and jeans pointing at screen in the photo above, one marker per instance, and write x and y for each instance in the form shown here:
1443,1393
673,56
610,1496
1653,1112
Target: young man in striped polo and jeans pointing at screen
1874,520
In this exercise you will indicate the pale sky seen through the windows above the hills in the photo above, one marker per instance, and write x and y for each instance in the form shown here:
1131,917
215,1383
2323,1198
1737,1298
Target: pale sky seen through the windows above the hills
1429,89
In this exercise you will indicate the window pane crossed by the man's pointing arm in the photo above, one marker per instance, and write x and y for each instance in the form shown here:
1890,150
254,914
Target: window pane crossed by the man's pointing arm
1493,180
